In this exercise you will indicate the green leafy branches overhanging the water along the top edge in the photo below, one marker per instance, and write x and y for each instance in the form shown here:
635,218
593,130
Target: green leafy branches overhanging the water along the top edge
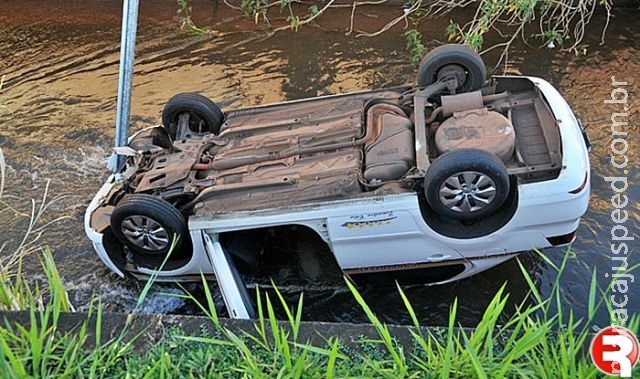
559,23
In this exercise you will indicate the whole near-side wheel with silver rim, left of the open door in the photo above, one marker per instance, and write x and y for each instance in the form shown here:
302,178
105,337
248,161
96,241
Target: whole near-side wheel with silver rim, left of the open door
147,225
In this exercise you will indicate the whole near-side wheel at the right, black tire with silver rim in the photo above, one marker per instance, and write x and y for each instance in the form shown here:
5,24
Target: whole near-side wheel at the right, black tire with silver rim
466,184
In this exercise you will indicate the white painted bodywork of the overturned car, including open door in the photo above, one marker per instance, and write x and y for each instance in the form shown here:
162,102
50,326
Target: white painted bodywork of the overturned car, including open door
385,233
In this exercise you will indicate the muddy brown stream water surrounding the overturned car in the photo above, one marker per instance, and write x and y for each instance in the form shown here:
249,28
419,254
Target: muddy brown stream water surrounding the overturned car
61,61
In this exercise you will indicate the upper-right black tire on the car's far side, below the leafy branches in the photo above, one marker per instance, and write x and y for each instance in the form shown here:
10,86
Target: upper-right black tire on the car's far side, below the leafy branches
453,56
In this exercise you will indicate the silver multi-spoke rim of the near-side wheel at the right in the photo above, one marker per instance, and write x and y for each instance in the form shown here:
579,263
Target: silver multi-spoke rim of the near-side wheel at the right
467,191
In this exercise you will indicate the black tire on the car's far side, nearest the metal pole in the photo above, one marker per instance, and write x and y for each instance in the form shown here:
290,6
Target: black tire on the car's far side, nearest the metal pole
206,116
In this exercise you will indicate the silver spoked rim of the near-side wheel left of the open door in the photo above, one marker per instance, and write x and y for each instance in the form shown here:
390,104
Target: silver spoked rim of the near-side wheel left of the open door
145,233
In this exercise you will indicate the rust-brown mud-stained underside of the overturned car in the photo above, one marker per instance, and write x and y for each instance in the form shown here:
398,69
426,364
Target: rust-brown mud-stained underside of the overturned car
332,148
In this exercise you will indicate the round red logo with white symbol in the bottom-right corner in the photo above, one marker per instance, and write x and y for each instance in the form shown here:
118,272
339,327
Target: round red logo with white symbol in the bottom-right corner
614,350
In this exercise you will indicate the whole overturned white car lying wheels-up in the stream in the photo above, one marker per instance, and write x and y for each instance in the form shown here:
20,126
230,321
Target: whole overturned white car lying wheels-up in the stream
446,178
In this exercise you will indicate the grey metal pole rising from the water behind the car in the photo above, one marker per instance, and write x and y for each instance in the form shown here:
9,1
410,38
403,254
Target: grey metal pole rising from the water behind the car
125,78
